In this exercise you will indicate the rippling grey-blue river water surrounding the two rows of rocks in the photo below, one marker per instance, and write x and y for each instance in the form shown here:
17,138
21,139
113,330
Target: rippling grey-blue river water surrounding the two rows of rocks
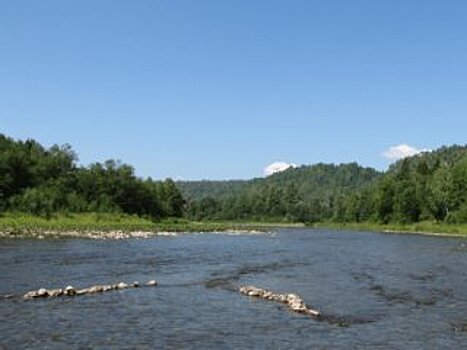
375,291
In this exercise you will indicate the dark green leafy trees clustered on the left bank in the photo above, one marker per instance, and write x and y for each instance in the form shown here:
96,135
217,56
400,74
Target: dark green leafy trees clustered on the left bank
43,181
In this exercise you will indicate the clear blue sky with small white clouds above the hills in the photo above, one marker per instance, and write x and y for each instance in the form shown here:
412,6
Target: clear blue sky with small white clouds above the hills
215,89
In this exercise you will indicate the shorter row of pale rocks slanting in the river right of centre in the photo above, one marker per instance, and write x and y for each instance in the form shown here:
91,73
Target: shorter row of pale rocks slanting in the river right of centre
293,301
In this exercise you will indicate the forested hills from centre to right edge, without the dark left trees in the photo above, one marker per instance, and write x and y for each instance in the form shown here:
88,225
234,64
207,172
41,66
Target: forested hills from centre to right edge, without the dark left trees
430,186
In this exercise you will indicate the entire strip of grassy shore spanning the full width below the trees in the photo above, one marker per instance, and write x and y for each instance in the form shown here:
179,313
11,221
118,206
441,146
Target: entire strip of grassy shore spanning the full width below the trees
15,224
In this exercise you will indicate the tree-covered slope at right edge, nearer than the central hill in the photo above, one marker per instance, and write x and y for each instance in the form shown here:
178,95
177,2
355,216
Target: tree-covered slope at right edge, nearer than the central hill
429,186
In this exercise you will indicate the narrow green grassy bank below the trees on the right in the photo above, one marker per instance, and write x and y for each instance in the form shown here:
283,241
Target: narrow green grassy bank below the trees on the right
424,227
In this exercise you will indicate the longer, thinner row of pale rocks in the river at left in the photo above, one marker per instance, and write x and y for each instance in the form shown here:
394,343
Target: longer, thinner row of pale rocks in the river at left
71,291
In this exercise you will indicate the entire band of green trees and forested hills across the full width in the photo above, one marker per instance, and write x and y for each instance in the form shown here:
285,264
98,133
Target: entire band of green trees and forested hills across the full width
427,187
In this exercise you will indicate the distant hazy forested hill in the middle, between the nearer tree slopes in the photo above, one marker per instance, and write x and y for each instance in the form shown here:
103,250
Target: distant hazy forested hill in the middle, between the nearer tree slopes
297,194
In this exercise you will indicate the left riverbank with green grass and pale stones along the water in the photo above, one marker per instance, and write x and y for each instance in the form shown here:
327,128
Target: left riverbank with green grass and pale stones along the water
115,226
